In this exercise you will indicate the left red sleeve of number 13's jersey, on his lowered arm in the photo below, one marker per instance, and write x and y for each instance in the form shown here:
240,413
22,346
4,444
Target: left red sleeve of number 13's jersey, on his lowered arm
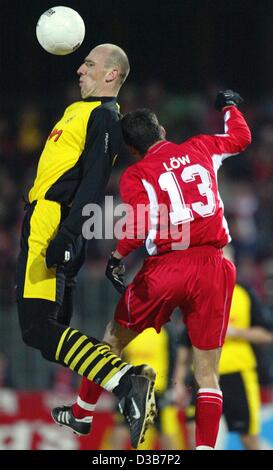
136,226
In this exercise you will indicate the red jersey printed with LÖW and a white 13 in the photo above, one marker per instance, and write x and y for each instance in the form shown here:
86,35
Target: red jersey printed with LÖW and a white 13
177,184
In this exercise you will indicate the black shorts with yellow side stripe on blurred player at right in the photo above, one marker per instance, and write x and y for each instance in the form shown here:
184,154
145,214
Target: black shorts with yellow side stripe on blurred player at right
241,405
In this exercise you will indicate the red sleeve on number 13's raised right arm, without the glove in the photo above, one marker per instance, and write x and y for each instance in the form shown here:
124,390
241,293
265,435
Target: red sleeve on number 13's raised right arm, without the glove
236,137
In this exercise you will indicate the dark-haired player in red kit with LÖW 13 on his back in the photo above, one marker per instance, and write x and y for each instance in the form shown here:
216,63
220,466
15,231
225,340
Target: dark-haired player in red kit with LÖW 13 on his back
188,270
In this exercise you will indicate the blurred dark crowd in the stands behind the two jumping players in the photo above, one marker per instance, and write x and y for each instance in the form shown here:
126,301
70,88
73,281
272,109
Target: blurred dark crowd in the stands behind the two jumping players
246,182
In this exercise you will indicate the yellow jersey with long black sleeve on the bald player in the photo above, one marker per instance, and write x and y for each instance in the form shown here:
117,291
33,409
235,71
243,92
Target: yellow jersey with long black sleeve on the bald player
76,162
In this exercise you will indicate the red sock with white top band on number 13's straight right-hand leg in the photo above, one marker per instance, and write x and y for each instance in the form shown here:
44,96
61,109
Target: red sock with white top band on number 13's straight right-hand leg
209,405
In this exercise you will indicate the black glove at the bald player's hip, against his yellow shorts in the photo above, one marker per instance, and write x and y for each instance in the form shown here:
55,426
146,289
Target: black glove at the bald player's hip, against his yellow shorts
59,251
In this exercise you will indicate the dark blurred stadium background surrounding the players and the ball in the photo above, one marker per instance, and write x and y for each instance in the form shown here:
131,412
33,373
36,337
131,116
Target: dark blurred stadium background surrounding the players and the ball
181,53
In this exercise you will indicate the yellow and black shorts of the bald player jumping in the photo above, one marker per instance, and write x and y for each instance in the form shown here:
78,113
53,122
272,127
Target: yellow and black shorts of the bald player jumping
34,280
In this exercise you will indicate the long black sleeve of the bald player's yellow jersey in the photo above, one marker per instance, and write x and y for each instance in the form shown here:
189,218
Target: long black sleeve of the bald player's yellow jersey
103,131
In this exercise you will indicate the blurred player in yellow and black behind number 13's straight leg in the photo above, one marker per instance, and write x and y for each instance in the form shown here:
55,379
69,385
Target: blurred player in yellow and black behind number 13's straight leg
249,324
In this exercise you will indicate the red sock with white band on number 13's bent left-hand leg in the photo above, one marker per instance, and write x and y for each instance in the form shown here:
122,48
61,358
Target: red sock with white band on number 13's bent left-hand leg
88,396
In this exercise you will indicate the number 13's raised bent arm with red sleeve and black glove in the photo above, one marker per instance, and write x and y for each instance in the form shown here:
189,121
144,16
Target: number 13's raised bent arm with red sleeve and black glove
236,136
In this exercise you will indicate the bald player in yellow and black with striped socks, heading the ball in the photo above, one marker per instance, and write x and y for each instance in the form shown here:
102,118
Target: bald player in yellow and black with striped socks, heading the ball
73,170
